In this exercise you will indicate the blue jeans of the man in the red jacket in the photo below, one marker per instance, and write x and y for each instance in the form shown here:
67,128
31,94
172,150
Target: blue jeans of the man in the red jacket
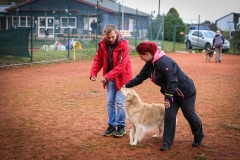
115,105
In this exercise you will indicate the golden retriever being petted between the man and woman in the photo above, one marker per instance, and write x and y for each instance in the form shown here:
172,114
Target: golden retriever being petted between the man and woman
142,116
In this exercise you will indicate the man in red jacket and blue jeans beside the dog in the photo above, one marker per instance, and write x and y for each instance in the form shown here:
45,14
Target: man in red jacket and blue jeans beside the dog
113,57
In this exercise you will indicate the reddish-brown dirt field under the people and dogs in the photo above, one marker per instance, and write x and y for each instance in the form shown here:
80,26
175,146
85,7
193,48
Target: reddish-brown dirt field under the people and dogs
55,112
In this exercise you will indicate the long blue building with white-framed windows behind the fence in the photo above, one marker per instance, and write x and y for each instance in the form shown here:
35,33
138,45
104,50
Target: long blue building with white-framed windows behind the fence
52,16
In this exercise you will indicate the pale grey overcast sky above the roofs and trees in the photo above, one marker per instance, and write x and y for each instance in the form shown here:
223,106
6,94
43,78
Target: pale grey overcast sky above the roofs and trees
189,10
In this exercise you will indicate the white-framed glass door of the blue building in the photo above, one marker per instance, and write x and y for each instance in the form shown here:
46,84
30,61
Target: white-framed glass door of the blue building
45,26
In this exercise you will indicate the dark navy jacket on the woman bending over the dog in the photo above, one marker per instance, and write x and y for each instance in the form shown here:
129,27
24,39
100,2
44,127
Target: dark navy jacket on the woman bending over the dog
166,73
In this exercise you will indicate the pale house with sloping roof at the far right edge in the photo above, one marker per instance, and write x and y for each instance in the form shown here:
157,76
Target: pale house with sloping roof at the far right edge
229,22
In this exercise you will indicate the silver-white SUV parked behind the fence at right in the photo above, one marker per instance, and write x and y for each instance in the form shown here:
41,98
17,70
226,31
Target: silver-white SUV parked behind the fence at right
203,40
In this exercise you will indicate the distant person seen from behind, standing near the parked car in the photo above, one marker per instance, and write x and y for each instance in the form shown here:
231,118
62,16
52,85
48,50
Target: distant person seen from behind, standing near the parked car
218,42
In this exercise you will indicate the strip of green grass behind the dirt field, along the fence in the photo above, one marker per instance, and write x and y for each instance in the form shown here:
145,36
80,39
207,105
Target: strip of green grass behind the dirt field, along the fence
40,57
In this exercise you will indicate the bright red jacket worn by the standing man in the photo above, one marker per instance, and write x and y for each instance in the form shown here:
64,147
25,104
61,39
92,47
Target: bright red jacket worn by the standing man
122,69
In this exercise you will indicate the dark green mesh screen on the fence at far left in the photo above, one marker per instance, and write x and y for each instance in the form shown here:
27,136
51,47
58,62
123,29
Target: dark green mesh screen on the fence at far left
14,42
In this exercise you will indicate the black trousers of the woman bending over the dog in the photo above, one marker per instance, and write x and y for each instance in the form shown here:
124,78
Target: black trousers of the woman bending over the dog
188,109
